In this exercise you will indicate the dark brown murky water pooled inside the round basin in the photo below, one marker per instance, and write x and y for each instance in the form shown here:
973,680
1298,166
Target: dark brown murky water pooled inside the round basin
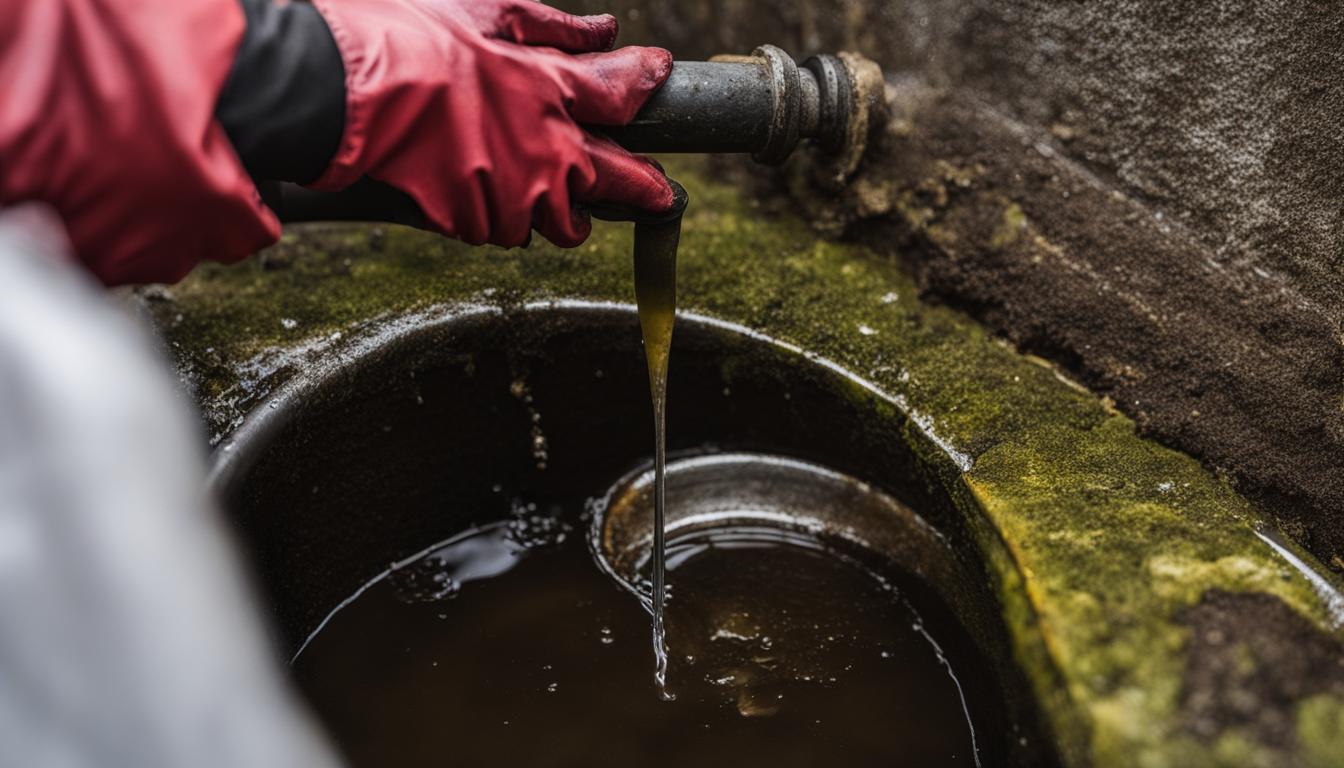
511,648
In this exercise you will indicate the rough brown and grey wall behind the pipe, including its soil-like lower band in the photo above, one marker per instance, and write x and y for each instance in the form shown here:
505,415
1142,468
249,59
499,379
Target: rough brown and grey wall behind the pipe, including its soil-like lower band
1148,193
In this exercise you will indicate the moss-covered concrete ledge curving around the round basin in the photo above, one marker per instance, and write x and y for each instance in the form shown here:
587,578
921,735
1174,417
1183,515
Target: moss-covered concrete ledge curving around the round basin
1159,621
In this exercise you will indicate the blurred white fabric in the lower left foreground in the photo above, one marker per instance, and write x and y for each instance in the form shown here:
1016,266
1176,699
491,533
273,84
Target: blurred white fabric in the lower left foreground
128,637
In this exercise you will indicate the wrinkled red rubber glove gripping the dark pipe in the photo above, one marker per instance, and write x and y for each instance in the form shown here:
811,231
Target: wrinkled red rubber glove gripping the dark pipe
474,110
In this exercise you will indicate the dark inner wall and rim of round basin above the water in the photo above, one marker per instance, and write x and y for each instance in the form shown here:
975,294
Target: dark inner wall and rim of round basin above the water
433,428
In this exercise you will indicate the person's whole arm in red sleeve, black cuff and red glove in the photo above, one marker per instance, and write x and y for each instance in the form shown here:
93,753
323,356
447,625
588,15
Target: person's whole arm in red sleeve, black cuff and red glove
150,124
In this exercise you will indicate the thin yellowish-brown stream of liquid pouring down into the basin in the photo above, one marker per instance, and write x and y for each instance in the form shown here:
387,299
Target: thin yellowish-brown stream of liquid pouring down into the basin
655,295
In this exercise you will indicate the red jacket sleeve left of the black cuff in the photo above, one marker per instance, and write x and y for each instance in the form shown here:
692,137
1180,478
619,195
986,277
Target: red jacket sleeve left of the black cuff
107,114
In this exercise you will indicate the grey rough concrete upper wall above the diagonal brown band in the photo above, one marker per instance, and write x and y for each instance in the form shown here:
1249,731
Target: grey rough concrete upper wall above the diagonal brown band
1229,115
